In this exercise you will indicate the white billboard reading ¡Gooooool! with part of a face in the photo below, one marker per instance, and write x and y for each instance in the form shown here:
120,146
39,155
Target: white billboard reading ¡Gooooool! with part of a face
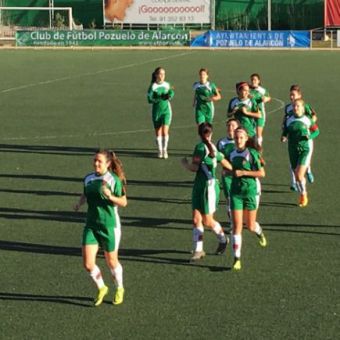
157,11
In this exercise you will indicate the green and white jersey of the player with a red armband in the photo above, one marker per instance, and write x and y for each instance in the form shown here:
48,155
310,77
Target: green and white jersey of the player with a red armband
299,130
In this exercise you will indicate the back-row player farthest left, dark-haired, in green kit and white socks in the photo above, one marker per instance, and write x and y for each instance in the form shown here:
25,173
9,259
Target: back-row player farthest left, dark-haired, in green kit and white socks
160,93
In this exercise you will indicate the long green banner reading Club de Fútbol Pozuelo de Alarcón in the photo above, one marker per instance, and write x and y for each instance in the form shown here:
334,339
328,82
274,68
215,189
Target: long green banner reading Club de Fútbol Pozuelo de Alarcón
103,38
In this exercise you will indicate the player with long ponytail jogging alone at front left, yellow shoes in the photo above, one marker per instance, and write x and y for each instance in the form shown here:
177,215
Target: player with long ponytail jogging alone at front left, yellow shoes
104,191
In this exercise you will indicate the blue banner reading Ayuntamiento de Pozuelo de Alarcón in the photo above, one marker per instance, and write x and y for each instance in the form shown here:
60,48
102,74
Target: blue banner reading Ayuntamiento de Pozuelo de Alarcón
253,39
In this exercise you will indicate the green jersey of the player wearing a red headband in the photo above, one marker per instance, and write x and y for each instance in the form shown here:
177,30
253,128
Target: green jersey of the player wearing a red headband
247,122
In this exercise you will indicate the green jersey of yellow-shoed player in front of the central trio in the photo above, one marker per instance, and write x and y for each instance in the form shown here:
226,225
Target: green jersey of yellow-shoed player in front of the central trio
248,159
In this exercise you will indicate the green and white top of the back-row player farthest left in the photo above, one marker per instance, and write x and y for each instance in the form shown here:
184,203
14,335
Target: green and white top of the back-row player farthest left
159,95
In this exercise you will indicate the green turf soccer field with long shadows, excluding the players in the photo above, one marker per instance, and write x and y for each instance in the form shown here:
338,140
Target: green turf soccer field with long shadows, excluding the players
57,107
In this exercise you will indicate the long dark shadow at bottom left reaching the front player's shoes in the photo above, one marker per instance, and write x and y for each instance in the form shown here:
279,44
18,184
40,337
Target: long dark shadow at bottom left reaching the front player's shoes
70,300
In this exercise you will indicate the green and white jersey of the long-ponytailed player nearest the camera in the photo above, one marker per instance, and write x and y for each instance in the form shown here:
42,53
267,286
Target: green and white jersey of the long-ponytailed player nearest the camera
101,213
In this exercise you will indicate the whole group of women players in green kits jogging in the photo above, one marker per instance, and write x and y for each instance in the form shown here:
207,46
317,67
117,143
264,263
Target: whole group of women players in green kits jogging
239,153
